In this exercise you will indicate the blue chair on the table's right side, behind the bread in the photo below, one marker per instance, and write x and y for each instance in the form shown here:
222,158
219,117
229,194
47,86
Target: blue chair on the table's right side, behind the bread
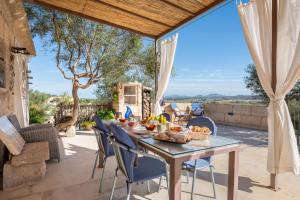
194,165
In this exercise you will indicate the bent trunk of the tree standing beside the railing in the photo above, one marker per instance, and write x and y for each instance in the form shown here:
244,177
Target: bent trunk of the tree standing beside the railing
66,125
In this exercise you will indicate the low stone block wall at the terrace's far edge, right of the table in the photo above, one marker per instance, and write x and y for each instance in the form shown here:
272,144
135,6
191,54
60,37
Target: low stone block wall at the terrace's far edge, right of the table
249,116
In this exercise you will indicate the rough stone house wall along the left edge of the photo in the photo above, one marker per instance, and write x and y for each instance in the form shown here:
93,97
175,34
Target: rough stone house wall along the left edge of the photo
14,32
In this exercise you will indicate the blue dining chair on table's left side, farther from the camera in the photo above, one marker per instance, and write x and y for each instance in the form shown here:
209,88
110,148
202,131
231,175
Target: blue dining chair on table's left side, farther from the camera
102,134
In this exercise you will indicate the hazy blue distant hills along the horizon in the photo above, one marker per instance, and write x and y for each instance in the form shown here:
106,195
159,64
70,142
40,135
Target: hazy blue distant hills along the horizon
213,96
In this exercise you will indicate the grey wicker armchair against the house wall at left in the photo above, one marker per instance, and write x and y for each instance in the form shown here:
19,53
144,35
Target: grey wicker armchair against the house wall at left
39,133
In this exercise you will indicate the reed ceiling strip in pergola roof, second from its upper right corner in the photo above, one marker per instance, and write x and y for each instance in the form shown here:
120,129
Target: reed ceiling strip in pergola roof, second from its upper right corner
153,9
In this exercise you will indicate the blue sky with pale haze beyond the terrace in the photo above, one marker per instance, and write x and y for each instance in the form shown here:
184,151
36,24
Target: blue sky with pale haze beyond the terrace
211,57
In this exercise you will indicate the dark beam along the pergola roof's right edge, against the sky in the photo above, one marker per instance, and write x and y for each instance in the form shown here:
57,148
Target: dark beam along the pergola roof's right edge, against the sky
200,12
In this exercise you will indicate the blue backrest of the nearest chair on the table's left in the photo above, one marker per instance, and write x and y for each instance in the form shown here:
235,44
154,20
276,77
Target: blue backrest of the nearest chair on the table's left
128,157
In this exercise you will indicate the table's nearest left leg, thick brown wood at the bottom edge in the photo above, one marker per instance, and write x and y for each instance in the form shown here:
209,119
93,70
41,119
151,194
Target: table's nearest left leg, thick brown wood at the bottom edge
175,181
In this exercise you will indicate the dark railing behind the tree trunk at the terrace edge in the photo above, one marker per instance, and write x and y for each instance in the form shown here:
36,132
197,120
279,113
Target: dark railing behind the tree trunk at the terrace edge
86,112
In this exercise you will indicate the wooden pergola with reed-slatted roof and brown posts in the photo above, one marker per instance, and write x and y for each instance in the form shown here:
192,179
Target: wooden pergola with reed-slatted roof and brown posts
150,18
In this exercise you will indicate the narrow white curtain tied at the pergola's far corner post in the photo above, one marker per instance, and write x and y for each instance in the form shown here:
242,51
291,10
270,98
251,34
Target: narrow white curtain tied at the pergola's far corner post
168,48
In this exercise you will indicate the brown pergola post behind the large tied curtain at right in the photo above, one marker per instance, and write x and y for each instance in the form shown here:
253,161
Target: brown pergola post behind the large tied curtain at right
274,177
